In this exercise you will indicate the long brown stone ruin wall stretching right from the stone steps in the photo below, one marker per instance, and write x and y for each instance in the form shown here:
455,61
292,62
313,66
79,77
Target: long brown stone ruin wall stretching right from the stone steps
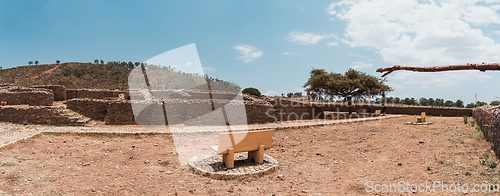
265,110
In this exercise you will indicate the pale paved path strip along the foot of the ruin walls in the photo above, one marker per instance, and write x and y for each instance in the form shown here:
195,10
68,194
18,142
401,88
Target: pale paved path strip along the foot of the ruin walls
11,133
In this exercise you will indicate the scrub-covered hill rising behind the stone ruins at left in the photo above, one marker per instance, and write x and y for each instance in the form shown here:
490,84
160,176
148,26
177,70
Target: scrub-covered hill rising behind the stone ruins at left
95,76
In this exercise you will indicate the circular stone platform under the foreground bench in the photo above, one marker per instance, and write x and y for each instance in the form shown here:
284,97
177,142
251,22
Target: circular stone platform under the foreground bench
211,165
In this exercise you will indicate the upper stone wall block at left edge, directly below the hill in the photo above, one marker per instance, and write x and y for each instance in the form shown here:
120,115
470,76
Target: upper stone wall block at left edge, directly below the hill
30,96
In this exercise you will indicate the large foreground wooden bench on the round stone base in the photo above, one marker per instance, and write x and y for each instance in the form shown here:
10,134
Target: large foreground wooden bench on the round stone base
253,142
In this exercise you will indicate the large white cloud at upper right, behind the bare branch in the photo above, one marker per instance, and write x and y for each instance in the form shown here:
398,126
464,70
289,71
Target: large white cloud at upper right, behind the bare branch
422,33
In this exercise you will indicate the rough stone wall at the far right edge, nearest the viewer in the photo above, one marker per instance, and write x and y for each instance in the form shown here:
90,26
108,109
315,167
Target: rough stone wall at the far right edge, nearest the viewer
488,119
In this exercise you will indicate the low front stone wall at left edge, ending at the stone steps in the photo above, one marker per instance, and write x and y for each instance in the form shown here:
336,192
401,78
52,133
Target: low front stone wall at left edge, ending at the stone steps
32,114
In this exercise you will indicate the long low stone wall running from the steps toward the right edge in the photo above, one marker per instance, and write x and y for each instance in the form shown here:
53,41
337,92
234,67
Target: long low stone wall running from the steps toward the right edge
119,112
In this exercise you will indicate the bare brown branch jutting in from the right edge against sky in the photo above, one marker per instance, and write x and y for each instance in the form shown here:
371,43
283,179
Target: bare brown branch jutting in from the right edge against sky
481,67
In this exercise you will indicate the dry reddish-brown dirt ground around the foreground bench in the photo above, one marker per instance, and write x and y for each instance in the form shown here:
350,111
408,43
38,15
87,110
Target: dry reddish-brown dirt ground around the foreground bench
340,159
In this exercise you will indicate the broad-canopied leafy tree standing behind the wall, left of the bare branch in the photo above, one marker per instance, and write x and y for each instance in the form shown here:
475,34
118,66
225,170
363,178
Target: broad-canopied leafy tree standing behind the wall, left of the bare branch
348,85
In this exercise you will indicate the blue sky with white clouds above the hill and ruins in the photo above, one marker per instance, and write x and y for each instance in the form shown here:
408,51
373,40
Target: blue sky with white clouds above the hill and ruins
273,44
